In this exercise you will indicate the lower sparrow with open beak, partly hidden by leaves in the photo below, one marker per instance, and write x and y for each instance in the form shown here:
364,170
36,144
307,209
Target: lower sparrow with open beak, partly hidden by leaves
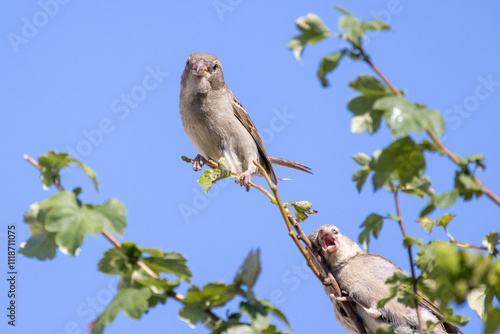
361,277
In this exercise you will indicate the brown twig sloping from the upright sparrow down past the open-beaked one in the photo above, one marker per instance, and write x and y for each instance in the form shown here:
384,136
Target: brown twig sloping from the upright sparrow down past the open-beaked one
330,279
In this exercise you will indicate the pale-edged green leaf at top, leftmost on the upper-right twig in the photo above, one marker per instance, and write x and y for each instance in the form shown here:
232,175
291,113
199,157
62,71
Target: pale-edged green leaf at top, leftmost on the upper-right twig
313,30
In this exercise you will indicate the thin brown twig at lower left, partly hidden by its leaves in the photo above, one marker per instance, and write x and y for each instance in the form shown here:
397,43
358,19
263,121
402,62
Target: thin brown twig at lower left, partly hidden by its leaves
138,262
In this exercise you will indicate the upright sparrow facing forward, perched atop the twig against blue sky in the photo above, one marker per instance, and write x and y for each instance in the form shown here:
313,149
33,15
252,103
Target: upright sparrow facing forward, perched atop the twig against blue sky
218,125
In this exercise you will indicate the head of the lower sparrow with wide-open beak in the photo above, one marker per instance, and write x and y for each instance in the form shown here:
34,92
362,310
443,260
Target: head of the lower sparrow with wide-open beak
334,246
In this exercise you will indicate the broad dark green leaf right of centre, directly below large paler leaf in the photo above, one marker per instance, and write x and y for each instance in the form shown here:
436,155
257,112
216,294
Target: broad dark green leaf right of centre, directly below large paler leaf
403,158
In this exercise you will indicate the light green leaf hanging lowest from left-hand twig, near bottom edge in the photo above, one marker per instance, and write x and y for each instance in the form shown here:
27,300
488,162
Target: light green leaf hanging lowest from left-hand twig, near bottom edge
132,302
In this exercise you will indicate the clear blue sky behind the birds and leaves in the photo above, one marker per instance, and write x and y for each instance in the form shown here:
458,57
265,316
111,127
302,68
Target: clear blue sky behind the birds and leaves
67,78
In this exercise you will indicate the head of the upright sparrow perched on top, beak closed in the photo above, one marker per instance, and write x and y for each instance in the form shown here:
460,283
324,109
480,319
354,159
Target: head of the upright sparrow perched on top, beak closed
203,72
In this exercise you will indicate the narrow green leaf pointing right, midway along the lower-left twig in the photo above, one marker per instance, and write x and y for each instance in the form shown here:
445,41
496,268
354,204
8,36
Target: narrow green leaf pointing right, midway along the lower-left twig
170,262
